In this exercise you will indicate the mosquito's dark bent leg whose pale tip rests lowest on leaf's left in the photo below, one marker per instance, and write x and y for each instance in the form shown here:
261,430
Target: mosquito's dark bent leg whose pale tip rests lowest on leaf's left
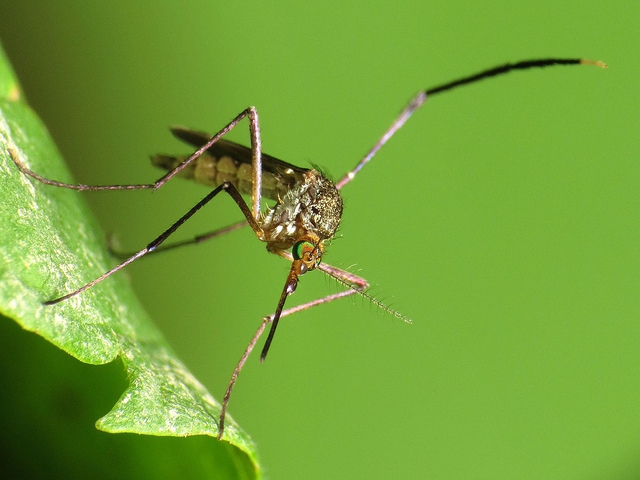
228,187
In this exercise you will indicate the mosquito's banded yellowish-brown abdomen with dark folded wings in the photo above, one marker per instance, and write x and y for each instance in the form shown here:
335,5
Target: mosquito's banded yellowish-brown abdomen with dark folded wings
226,161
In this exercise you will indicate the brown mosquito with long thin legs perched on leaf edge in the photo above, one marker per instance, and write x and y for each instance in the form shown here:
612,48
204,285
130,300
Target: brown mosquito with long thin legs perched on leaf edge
306,213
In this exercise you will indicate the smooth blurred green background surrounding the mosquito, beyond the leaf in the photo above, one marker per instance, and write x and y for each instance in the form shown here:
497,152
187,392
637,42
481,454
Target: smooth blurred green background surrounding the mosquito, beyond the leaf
502,219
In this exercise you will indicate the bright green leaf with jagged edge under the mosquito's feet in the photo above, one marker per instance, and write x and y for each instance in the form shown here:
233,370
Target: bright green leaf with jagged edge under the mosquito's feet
50,245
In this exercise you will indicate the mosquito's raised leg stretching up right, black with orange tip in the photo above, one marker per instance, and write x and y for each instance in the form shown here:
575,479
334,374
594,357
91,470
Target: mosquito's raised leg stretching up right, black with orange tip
417,101
